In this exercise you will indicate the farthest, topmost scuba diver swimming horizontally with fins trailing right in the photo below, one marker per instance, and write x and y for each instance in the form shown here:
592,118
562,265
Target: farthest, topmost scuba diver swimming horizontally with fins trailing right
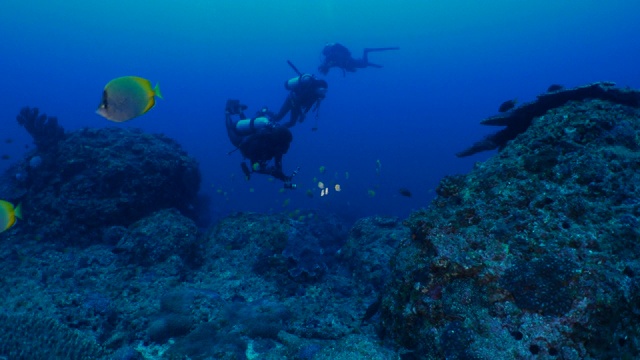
337,55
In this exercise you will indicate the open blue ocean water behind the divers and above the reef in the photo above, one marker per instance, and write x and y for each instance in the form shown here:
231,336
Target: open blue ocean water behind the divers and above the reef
458,60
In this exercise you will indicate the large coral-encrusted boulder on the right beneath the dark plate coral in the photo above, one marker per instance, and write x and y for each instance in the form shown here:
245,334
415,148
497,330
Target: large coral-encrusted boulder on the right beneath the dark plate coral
535,253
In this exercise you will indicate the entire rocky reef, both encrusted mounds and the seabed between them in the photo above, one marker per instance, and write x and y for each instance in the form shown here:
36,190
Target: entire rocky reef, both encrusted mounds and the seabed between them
532,255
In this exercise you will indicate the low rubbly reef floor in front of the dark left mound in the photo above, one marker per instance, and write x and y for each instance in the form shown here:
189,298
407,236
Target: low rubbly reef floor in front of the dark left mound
251,295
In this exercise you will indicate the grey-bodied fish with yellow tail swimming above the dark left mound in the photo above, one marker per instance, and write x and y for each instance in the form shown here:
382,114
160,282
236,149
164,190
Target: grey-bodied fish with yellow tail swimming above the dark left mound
127,97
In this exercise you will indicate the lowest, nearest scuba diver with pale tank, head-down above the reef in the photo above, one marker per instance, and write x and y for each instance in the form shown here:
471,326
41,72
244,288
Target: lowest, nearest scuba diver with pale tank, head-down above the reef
259,140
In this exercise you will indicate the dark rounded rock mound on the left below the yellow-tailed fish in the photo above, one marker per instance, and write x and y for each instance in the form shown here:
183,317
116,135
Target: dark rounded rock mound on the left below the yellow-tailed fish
100,178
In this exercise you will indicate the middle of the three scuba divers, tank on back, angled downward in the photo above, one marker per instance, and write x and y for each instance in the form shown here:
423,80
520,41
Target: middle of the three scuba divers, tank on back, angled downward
305,92
